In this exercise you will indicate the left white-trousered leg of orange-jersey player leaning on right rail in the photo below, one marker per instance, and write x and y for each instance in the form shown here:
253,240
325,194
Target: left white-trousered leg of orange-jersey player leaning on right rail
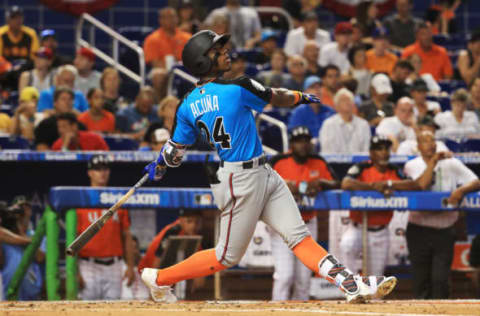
351,247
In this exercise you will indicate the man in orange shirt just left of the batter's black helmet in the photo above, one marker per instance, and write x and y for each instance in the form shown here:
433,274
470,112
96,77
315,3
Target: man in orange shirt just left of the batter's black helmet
164,47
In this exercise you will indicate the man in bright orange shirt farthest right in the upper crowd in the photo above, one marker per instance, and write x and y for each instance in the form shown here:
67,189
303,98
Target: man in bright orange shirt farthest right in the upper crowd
435,60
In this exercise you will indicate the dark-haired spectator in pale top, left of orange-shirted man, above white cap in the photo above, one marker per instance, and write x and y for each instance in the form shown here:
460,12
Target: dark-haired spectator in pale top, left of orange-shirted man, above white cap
358,69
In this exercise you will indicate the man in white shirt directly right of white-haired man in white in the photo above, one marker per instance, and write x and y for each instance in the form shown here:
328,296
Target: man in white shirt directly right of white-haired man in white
401,126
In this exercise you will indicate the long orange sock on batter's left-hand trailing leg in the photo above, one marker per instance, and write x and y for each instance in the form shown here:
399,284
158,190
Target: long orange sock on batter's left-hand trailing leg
199,264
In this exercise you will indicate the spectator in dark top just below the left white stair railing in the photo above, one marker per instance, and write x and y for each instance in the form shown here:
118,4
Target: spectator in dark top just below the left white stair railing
110,83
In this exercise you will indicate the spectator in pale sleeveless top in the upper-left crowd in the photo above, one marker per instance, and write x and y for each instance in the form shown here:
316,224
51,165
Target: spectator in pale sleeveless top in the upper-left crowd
41,76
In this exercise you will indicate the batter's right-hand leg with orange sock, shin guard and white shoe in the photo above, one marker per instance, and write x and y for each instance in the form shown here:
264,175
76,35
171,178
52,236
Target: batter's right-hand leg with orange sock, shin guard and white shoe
282,214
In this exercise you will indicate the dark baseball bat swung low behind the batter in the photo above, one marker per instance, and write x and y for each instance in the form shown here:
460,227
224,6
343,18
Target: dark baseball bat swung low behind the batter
94,228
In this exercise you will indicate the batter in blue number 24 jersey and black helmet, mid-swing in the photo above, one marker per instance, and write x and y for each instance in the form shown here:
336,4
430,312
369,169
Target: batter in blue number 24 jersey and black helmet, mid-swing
247,189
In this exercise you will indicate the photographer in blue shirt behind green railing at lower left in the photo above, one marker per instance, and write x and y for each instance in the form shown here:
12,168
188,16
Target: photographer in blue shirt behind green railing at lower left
15,220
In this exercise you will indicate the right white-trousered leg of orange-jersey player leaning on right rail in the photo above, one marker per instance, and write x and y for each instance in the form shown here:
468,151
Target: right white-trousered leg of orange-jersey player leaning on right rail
378,247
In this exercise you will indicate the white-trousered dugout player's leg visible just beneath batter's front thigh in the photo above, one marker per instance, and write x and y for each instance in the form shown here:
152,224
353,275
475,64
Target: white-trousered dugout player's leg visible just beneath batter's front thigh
283,275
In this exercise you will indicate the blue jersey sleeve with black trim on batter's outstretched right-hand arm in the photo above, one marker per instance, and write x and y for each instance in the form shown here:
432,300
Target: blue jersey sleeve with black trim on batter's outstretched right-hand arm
254,95
